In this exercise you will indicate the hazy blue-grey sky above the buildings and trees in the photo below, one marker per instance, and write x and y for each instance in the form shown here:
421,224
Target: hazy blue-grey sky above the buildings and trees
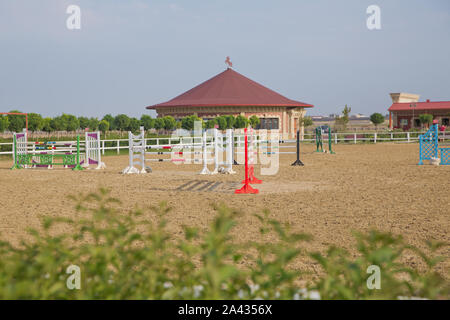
131,54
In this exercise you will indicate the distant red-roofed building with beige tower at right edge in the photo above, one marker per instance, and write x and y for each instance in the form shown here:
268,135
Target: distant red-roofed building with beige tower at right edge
406,108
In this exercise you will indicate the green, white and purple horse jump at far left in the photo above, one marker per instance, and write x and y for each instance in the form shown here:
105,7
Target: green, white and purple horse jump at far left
51,153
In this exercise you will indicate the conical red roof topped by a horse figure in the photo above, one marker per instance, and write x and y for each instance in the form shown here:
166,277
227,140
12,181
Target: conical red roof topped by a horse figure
230,88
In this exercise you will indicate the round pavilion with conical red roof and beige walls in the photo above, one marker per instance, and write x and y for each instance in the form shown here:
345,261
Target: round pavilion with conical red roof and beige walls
231,93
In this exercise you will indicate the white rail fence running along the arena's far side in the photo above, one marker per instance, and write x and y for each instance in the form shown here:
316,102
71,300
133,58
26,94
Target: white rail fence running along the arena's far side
351,137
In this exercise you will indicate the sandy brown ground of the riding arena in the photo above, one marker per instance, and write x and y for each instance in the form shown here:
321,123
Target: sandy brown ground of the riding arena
359,188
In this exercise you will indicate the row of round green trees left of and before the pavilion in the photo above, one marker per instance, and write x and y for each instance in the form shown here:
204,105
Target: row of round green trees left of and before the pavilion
120,122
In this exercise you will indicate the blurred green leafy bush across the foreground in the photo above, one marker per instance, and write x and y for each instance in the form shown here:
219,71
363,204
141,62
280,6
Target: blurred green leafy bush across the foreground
124,256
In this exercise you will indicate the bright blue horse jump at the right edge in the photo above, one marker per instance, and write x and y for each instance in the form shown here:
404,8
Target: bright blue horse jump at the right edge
429,147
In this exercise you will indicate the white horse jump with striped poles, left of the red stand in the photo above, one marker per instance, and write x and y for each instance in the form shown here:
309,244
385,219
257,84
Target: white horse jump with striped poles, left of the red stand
138,150
